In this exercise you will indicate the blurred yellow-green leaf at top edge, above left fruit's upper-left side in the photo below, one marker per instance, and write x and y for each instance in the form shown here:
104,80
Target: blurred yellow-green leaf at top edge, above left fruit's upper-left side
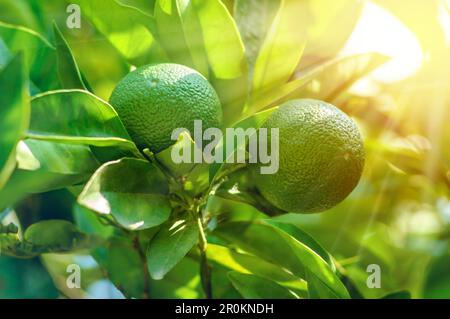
125,27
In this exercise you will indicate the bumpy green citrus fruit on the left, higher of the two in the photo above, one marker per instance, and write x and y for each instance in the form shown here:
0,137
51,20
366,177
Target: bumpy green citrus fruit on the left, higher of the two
153,100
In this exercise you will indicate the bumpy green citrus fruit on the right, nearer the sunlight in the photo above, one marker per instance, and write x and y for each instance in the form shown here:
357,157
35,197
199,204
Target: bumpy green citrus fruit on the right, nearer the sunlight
321,157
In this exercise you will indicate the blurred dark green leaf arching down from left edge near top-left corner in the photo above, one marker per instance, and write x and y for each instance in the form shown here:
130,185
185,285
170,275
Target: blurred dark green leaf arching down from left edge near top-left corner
39,54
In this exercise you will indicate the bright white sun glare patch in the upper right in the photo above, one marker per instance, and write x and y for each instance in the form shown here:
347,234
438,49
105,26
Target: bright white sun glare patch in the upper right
380,31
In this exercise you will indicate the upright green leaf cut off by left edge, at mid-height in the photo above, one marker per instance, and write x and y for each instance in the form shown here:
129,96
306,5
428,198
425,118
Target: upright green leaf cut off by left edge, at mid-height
14,114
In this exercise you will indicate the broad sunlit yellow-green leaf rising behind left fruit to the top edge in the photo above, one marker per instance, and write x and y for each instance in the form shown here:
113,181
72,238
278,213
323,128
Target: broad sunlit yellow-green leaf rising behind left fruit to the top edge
188,32
